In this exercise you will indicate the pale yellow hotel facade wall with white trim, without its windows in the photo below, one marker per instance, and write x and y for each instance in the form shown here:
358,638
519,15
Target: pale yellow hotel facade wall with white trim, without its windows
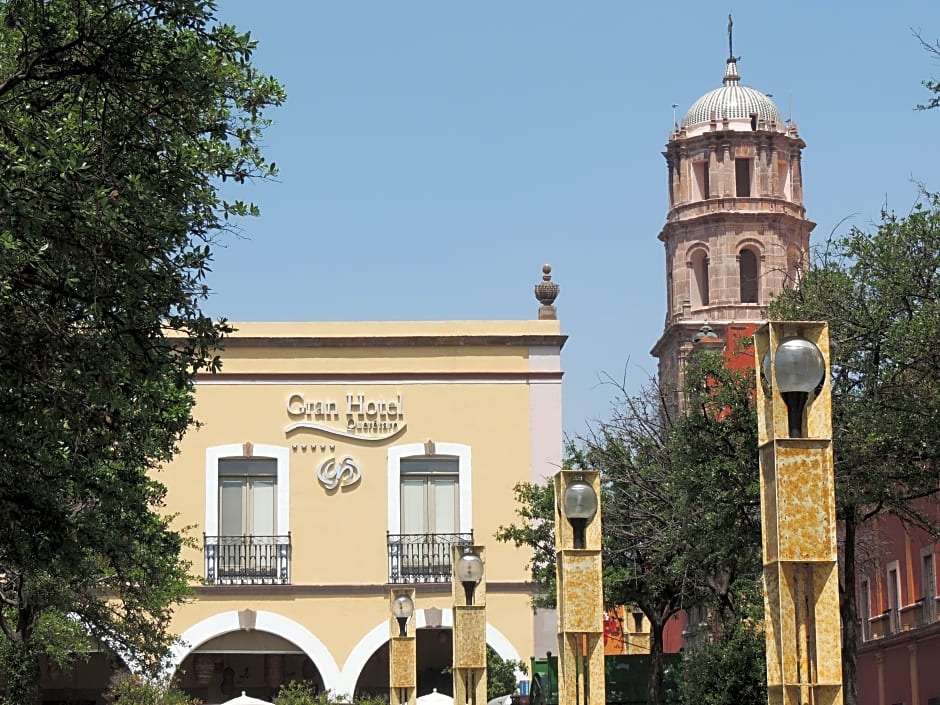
312,395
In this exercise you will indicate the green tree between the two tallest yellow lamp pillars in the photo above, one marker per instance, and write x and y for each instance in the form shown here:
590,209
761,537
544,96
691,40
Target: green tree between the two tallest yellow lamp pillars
680,497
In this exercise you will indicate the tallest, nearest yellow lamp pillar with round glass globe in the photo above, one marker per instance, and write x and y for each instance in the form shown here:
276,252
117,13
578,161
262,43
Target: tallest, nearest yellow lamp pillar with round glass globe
801,576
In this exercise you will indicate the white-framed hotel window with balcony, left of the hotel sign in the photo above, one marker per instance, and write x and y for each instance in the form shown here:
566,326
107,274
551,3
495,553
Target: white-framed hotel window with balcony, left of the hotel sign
247,538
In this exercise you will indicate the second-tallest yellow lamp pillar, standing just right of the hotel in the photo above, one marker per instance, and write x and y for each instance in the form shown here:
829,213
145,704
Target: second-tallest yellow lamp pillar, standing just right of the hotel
579,584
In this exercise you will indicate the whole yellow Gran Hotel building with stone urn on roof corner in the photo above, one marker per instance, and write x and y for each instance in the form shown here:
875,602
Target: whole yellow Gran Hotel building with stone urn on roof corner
337,460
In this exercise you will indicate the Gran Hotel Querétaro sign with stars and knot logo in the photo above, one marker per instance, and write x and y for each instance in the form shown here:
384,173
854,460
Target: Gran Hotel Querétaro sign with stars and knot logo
357,416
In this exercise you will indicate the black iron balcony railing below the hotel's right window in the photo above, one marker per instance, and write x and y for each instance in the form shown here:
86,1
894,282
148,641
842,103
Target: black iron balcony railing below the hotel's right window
422,558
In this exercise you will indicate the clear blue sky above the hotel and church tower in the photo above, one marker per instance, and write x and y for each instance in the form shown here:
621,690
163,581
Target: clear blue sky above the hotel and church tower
434,154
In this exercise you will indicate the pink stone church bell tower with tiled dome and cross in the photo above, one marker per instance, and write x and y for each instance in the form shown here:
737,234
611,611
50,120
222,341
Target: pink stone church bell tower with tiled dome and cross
736,232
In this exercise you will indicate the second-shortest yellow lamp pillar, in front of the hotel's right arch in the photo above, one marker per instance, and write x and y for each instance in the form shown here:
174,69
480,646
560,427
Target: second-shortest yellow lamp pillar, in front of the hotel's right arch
469,592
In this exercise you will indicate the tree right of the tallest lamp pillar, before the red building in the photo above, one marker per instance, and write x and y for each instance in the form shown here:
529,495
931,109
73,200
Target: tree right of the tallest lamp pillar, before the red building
880,293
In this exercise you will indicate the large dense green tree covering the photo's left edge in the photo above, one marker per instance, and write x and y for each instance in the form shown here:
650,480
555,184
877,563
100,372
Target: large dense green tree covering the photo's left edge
119,121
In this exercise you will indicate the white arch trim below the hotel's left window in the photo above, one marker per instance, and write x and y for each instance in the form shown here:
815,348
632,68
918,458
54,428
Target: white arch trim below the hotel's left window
265,621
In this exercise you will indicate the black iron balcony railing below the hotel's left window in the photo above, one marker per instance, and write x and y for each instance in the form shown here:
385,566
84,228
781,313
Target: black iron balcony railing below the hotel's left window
247,560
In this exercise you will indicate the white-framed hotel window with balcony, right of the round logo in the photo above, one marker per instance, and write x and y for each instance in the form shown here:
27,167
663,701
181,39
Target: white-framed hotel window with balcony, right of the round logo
428,510
